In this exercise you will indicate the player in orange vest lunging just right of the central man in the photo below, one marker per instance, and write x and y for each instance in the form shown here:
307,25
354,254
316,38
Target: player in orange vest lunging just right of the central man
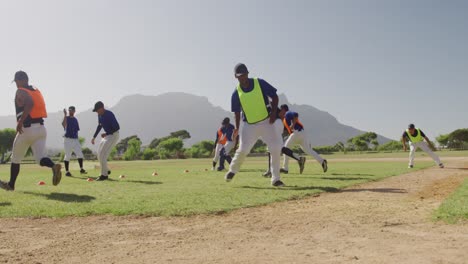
298,136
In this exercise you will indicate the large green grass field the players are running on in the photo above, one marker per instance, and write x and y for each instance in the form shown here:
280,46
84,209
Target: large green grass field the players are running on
174,192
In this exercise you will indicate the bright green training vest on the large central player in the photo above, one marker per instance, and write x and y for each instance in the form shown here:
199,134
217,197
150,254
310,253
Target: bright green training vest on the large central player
253,103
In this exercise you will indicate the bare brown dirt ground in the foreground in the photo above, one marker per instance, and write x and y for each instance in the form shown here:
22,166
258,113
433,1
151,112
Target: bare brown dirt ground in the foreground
379,222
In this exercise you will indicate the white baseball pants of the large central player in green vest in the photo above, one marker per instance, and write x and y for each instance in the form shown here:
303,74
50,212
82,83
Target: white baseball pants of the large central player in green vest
270,134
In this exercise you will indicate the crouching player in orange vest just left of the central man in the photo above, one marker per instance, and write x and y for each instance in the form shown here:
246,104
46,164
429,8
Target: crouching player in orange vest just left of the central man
224,144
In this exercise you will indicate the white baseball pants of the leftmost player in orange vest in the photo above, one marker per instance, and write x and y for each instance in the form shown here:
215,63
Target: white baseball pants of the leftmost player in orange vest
34,137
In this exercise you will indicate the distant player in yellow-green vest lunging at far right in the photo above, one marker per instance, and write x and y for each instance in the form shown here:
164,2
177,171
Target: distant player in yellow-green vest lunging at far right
416,138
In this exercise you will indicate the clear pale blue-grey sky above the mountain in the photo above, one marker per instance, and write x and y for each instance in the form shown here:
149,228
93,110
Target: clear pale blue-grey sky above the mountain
375,65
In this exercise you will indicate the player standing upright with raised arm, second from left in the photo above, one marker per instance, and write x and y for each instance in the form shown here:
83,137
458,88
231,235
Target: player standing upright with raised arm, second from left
71,141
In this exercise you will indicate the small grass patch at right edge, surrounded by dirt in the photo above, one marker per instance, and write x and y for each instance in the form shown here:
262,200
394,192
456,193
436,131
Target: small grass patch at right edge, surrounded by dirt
455,208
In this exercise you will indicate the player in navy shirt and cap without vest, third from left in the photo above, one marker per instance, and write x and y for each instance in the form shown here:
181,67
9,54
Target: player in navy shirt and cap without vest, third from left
106,120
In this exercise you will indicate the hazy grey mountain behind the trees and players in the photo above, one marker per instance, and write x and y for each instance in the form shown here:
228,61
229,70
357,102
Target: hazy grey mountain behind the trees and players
152,117
